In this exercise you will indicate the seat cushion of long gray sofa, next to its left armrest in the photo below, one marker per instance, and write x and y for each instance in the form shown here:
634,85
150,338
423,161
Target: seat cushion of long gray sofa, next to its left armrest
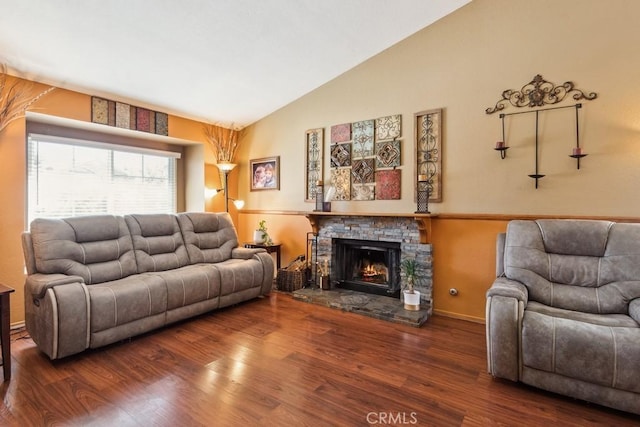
122,301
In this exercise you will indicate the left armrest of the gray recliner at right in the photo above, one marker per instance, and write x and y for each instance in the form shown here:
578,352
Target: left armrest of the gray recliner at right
506,301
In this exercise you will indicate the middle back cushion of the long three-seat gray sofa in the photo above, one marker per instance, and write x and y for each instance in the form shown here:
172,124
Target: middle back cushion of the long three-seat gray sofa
157,242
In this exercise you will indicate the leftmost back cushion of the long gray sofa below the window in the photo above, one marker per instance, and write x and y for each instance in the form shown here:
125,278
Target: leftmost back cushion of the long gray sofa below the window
97,248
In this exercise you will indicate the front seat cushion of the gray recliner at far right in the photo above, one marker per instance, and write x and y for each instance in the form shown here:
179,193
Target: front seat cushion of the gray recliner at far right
595,353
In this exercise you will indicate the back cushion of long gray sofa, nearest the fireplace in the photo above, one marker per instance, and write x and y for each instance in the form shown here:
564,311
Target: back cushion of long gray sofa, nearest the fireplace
209,237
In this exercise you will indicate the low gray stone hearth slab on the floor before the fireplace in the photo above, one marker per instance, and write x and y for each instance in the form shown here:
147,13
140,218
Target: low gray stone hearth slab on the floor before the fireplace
376,306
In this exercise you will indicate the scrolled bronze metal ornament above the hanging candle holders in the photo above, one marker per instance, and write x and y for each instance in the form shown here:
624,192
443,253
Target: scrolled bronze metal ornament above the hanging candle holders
538,93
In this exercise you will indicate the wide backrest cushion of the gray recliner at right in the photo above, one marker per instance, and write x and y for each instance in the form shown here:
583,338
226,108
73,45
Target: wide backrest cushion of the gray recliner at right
584,265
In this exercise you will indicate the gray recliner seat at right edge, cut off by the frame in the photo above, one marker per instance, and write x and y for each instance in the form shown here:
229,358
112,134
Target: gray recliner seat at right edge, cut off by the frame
564,313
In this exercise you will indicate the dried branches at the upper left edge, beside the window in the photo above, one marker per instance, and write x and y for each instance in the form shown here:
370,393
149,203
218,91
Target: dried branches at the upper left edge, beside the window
14,99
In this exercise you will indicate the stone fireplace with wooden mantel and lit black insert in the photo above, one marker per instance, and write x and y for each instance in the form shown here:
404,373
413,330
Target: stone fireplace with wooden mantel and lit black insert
380,239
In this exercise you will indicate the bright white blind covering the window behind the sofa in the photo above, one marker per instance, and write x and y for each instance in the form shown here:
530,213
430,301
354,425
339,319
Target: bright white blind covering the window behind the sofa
69,177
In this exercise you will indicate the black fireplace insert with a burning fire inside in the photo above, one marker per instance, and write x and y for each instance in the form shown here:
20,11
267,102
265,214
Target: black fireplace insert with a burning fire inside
367,266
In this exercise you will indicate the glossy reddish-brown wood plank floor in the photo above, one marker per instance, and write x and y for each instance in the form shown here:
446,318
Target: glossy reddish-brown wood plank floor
280,362
